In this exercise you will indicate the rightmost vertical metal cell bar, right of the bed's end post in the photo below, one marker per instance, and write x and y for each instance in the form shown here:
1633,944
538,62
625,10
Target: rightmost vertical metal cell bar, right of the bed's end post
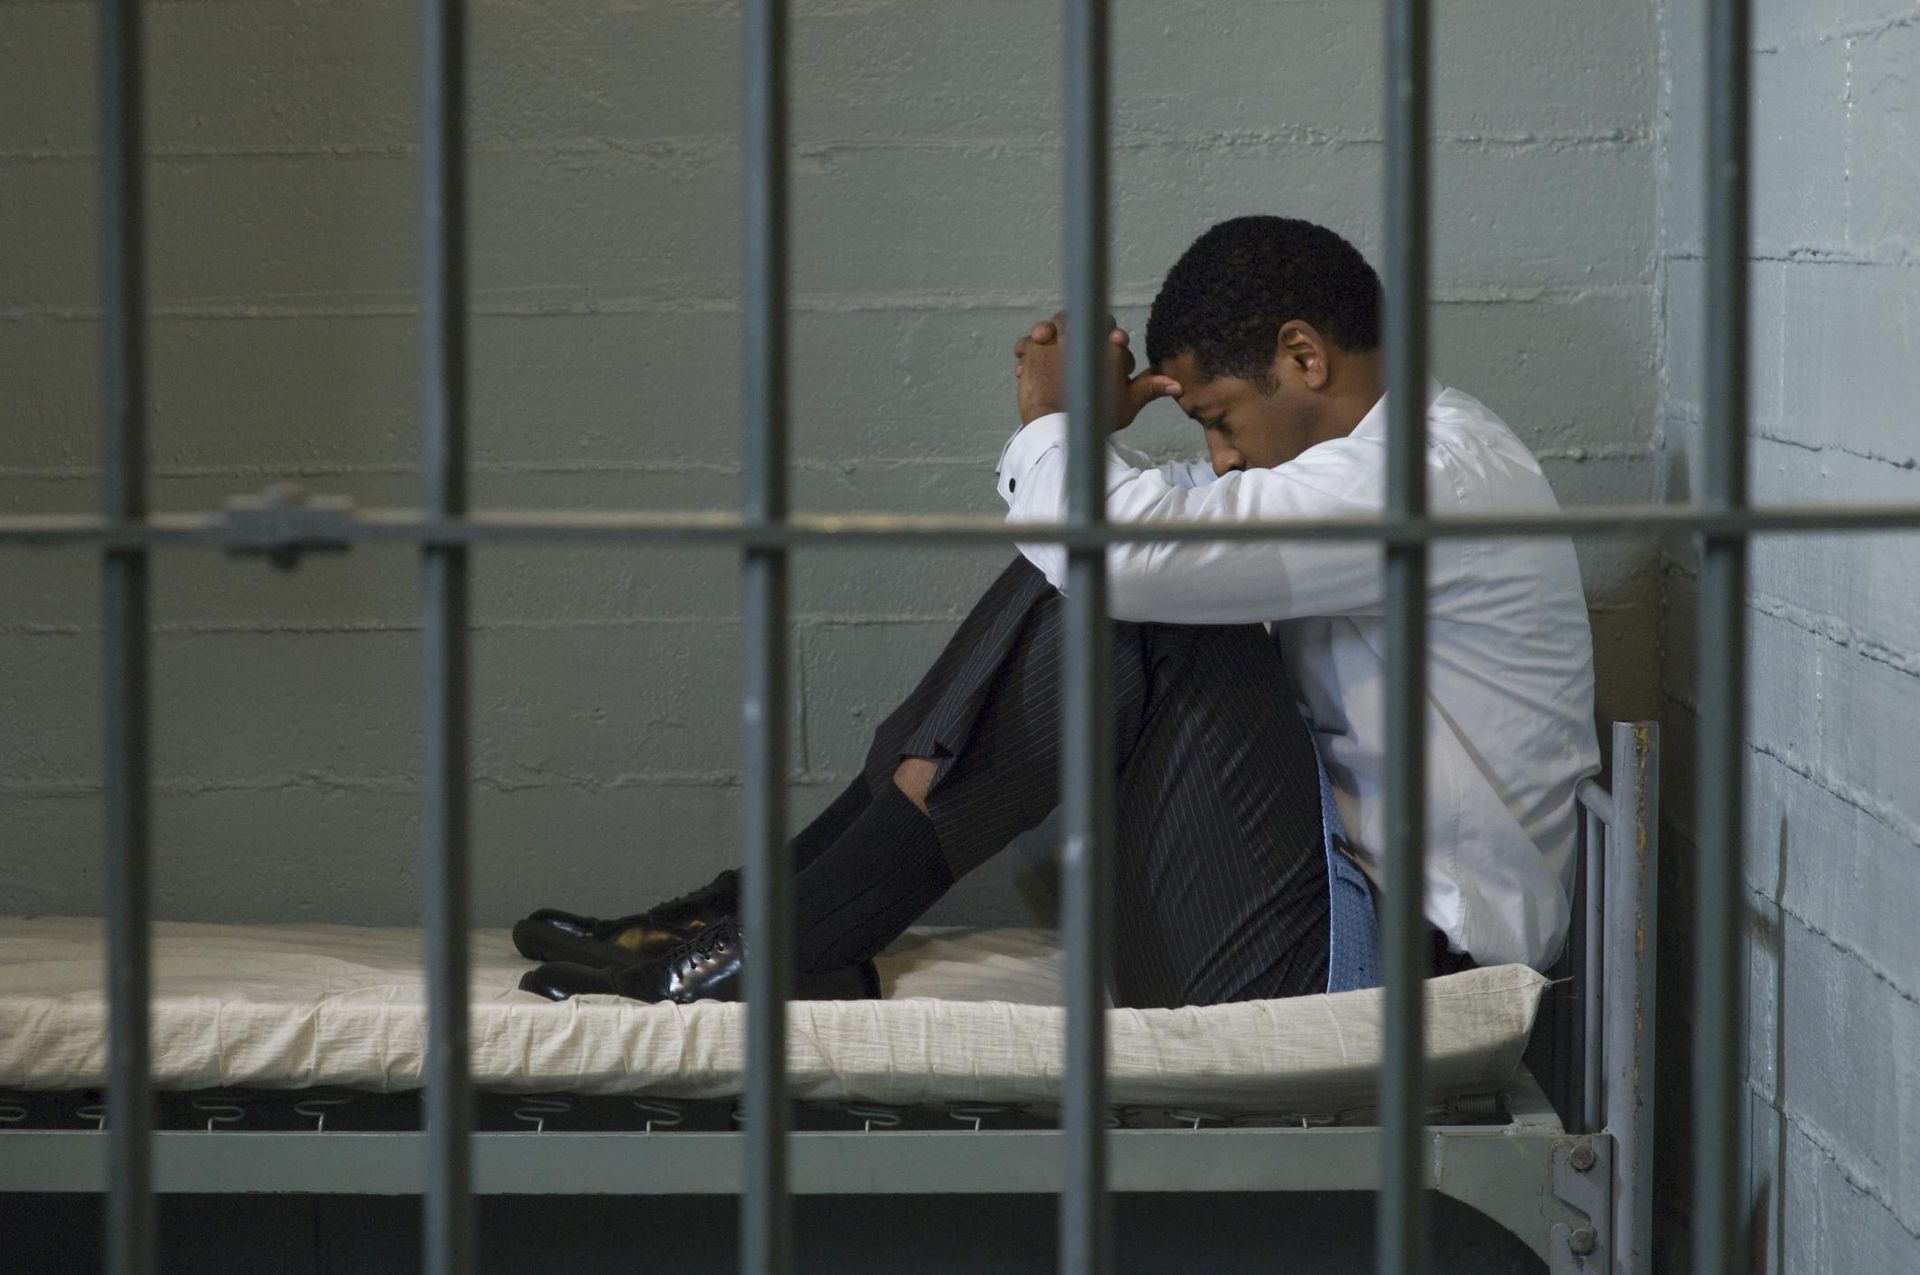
1719,1238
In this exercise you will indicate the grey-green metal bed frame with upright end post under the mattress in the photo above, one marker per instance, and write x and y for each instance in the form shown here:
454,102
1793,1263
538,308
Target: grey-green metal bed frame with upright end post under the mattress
1573,1191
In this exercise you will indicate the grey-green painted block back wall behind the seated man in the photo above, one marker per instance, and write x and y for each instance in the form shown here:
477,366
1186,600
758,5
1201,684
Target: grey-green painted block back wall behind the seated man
606,235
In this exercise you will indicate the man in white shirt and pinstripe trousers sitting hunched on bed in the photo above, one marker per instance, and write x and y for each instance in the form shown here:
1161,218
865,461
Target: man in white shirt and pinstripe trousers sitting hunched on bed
1234,663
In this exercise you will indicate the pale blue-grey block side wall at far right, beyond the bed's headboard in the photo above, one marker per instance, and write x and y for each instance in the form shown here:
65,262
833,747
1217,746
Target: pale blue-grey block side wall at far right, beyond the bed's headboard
1835,690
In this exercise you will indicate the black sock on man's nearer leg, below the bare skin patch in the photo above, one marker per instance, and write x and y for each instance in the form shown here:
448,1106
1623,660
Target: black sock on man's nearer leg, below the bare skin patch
865,890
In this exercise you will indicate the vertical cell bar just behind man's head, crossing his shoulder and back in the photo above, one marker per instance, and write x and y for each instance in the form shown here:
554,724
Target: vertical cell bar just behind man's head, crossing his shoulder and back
1403,1207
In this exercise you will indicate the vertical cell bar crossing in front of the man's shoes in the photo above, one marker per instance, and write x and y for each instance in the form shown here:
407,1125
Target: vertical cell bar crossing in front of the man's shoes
765,1218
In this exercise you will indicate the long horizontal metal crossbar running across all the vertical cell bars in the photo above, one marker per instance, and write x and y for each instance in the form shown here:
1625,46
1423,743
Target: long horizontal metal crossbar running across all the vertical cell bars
880,529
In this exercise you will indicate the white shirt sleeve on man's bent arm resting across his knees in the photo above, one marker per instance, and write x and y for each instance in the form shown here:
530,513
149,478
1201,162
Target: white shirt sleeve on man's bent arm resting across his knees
1212,583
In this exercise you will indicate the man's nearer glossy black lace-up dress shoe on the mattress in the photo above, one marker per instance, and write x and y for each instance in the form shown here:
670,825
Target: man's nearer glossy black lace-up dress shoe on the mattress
709,967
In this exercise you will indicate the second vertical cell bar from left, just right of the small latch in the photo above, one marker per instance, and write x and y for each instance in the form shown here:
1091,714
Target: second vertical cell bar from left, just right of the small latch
444,821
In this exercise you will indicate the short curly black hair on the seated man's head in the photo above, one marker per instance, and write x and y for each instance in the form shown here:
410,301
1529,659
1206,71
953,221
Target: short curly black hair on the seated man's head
1234,289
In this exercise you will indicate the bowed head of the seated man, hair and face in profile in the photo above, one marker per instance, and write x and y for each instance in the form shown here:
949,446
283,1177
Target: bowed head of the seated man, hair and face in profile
1272,327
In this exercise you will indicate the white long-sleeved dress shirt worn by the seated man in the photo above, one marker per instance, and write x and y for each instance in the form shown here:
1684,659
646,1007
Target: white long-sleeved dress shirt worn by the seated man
1510,677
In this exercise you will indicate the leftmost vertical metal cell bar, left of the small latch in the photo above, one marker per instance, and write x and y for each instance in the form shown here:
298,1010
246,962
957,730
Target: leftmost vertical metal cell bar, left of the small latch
130,1216
